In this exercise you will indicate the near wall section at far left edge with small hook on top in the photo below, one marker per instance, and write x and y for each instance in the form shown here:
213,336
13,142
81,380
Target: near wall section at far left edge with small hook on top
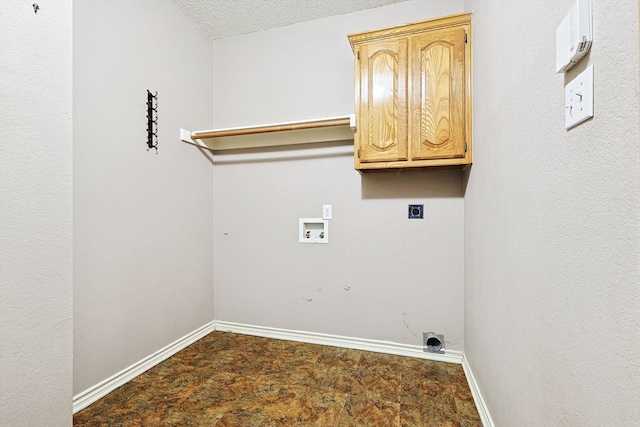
35,214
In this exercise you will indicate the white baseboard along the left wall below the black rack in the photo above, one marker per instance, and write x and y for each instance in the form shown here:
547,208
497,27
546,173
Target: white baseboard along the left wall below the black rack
87,397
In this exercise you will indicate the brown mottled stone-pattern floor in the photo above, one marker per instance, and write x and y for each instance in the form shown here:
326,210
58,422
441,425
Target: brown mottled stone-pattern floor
228,379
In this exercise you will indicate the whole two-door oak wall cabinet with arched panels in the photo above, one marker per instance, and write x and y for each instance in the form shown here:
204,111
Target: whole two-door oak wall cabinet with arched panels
413,95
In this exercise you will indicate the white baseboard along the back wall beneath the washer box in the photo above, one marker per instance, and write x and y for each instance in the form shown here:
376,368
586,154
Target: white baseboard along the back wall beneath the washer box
450,356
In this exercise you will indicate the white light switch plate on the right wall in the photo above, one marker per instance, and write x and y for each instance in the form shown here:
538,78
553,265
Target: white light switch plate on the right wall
579,98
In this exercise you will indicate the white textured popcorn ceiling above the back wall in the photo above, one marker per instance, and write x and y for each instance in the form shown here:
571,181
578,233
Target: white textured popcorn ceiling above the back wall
226,18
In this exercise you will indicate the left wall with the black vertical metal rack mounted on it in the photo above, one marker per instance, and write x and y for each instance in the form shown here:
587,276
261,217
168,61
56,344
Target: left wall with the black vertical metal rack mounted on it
143,269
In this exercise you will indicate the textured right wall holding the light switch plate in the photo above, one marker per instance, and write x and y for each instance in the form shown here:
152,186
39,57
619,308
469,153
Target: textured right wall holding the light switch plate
552,221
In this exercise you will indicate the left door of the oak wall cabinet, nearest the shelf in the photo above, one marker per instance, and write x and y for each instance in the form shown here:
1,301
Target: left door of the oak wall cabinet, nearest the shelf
382,115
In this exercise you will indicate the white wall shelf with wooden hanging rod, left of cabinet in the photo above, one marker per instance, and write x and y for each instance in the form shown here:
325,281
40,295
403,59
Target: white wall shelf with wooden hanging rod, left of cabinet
299,132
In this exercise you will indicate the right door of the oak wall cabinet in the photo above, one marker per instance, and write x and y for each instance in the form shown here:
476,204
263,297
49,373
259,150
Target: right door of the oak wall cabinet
438,90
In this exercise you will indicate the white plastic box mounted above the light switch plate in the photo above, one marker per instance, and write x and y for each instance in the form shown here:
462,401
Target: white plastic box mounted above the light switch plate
573,36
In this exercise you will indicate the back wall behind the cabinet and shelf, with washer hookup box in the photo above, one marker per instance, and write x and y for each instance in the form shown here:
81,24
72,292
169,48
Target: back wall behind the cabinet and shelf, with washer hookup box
381,276
